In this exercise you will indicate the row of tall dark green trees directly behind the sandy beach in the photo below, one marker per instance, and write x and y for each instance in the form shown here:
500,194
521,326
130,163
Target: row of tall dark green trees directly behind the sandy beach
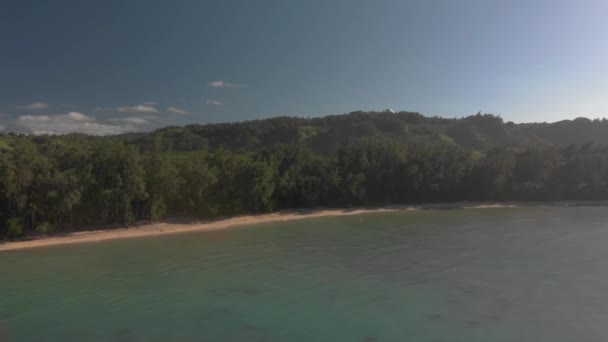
66,183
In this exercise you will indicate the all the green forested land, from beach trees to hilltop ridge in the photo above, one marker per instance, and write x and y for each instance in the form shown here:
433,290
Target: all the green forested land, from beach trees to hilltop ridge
68,182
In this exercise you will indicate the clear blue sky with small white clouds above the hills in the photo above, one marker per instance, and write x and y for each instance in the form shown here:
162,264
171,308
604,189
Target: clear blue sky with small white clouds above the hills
114,66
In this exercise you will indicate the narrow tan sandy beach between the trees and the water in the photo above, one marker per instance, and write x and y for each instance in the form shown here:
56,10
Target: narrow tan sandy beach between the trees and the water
166,228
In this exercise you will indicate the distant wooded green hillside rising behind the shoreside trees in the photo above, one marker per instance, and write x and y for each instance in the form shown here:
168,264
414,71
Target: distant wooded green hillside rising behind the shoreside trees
479,132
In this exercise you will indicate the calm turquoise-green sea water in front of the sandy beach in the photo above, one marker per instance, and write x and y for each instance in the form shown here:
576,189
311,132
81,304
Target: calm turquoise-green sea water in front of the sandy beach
512,274
